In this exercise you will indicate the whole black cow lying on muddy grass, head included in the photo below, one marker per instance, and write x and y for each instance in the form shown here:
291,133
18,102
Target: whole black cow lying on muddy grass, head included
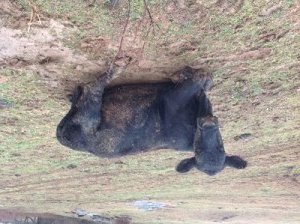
132,118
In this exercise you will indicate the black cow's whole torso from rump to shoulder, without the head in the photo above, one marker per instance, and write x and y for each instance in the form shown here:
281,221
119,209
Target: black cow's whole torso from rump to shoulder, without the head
136,118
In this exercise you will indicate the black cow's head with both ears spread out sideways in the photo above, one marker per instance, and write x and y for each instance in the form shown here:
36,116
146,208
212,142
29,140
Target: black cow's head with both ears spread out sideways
209,156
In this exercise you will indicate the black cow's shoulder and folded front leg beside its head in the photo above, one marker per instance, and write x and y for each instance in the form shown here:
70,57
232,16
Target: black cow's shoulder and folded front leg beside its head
179,109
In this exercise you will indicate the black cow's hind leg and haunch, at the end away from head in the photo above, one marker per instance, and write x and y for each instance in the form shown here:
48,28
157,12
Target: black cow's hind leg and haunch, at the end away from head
77,129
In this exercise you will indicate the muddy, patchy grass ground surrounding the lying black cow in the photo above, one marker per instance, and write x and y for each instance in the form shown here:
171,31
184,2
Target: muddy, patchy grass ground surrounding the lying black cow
250,47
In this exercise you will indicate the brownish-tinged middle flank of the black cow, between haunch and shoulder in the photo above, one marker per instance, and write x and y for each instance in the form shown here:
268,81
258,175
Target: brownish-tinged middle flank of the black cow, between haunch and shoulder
129,118
